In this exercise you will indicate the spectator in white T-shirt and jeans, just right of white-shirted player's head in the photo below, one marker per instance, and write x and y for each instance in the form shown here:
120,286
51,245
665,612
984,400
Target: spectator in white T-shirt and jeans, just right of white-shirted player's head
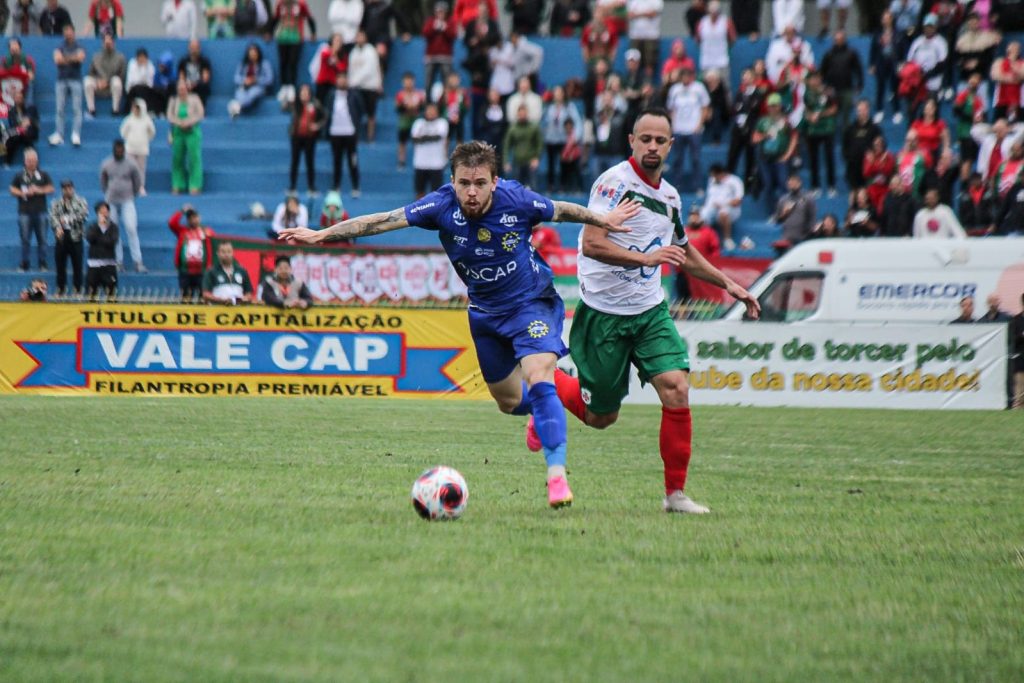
690,105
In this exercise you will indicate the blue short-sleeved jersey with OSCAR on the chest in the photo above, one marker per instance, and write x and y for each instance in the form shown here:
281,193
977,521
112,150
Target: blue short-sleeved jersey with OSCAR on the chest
493,254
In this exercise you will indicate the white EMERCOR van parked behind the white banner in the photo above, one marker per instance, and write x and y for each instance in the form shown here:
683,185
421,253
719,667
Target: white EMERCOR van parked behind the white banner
884,280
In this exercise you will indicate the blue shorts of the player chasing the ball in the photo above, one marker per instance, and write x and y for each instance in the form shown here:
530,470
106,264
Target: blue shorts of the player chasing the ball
502,339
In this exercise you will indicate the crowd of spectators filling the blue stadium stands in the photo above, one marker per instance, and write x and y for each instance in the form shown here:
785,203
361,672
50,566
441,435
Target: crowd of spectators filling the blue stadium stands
943,77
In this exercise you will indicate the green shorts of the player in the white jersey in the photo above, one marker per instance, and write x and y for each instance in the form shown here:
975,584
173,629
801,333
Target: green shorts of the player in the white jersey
604,346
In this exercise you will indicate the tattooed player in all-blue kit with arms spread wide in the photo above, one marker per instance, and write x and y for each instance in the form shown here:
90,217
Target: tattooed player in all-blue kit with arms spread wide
516,316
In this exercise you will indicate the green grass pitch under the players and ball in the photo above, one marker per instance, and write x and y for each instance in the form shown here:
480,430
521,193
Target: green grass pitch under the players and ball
274,540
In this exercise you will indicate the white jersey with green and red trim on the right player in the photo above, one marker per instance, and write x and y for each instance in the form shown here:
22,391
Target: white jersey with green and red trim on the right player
620,290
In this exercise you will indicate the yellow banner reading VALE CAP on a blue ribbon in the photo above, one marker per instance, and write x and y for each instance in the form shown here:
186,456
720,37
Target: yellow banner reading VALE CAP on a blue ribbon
141,350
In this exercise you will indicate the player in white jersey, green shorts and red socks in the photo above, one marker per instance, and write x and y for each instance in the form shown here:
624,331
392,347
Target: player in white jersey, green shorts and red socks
623,317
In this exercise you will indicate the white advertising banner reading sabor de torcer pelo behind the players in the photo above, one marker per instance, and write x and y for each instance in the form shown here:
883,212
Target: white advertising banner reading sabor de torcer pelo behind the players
959,367
